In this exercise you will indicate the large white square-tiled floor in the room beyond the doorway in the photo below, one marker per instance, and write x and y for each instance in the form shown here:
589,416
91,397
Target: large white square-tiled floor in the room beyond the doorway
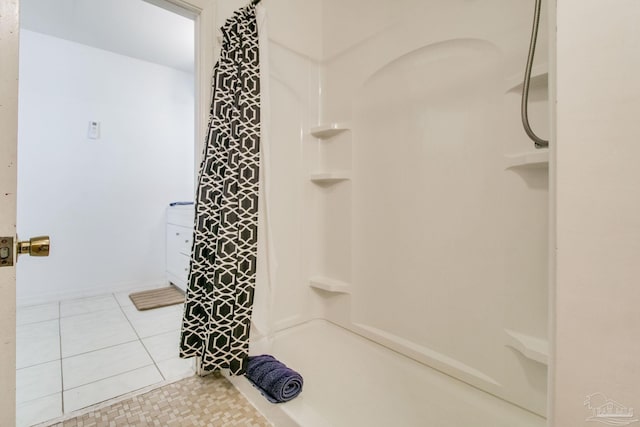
76,353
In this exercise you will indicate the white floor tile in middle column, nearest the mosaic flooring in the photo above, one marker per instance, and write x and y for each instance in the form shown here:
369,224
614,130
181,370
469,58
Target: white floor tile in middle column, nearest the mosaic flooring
109,388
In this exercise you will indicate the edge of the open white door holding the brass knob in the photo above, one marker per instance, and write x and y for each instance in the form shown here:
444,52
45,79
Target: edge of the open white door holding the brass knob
8,150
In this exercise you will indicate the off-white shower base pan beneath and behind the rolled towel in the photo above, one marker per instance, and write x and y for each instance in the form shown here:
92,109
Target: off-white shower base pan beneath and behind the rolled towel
351,381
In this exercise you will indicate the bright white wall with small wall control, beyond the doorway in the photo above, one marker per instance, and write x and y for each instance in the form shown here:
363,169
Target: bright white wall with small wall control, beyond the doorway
101,201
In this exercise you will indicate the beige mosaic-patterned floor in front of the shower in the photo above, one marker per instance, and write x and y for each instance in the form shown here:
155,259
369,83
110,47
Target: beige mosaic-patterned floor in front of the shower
191,402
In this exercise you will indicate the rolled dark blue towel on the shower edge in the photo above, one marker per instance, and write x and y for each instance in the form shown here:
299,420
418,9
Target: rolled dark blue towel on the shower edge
276,382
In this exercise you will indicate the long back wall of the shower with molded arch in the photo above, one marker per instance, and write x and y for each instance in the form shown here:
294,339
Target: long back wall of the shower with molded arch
448,247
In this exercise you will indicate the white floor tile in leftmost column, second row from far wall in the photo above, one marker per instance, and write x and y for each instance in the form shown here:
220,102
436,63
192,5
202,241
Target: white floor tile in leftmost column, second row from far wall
37,343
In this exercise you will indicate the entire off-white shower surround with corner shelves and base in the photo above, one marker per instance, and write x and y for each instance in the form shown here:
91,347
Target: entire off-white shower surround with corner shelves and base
407,211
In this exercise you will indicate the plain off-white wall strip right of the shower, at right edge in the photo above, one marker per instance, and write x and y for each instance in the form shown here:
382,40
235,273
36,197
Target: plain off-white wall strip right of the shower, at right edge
598,208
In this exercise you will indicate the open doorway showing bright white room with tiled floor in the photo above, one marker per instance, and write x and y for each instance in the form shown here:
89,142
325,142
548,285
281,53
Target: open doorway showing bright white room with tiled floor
106,142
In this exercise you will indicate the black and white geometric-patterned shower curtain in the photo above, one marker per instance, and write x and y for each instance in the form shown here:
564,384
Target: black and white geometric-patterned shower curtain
219,299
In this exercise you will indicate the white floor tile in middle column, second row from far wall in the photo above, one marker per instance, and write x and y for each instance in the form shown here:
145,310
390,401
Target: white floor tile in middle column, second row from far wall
93,331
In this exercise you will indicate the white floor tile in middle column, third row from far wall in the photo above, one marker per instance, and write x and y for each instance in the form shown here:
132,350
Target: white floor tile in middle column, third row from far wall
100,364
